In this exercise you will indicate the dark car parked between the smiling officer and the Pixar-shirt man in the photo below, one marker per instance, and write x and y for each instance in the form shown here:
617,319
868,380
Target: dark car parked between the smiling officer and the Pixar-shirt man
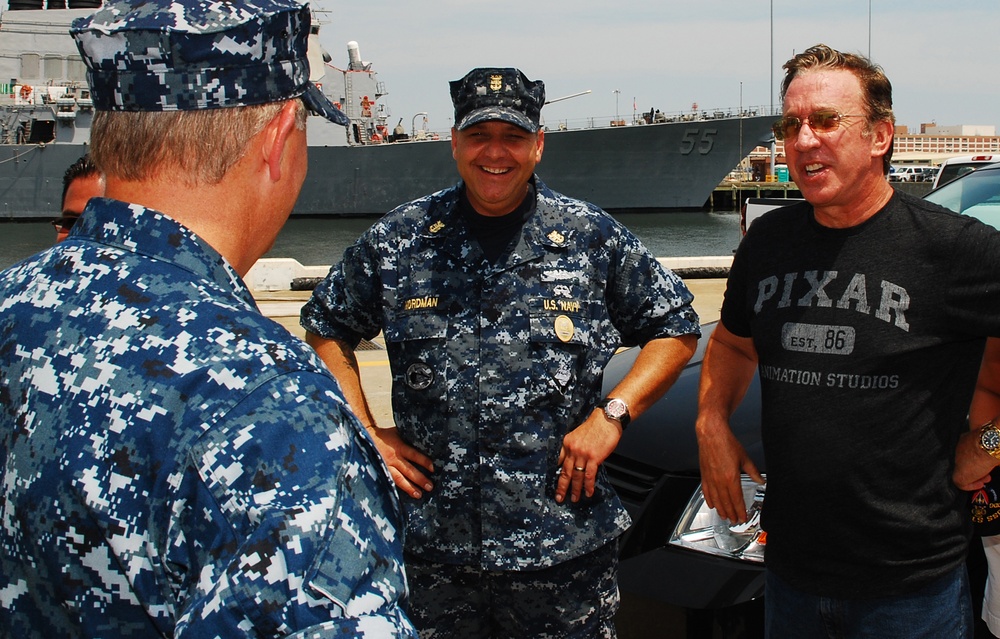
683,572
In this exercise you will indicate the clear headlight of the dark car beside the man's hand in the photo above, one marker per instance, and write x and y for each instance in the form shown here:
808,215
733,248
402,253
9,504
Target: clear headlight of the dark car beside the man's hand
700,528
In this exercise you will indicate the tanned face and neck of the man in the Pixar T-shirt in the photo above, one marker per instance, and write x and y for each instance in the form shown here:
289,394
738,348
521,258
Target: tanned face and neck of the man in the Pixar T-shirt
840,171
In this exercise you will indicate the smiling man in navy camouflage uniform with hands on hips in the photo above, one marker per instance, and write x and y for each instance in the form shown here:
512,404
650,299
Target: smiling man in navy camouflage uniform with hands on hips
501,302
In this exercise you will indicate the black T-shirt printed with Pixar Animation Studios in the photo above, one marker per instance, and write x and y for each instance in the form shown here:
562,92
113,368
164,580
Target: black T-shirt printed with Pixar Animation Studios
869,342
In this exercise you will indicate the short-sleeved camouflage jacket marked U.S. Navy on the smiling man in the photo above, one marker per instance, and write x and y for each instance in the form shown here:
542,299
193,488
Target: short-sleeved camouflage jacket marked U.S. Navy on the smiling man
493,364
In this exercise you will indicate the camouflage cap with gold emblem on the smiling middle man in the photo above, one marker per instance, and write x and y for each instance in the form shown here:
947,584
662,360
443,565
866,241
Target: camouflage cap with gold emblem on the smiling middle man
497,94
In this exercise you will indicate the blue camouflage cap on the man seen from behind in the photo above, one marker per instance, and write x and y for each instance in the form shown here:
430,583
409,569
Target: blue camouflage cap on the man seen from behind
182,55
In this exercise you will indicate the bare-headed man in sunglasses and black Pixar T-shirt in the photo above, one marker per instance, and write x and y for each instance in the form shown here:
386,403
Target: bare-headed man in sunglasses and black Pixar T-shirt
865,312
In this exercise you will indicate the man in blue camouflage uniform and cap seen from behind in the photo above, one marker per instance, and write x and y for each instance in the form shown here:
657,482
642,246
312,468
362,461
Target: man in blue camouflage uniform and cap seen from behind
175,464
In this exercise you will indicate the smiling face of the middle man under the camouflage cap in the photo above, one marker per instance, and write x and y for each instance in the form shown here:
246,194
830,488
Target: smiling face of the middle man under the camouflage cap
495,160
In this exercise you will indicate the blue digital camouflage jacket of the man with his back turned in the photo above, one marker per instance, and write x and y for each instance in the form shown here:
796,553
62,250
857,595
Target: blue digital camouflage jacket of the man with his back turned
174,463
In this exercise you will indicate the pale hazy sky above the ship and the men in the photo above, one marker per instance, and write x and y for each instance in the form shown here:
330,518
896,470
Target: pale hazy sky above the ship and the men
943,57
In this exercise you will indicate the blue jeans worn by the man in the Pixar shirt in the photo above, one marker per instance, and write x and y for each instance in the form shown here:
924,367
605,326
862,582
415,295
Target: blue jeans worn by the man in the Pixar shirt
939,610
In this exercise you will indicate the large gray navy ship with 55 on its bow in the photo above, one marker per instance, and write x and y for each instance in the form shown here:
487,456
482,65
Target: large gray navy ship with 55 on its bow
659,162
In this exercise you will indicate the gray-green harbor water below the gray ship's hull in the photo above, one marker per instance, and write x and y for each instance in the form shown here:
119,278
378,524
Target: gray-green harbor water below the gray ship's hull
321,241
